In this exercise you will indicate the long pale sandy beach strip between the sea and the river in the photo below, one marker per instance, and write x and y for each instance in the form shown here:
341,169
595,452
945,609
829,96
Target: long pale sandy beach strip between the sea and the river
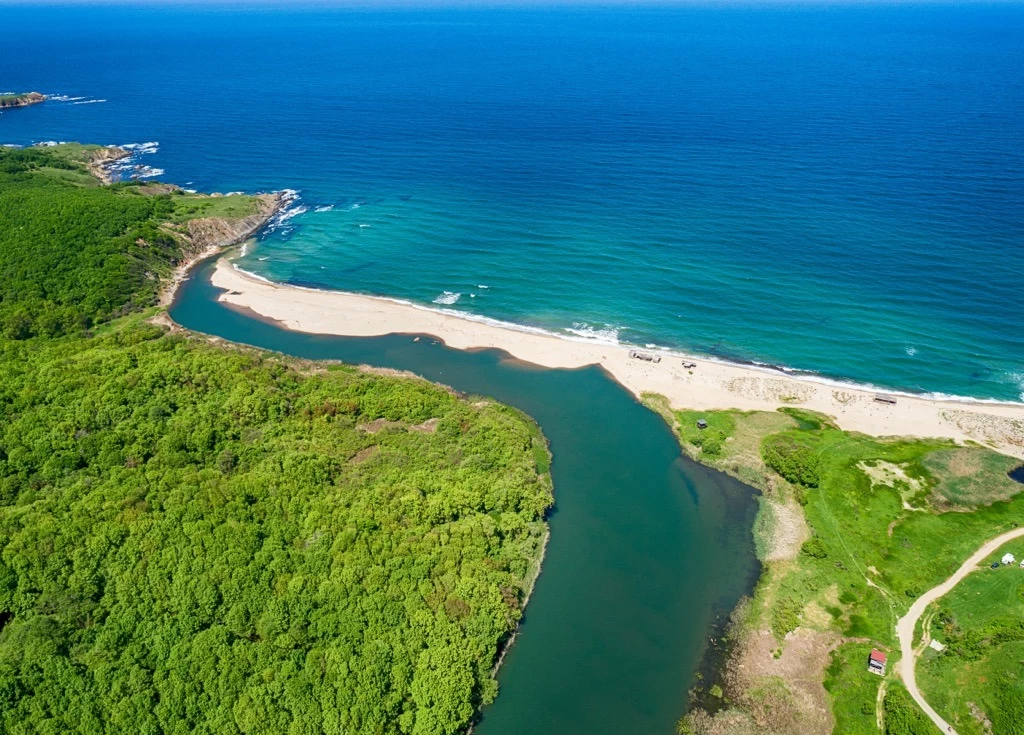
710,384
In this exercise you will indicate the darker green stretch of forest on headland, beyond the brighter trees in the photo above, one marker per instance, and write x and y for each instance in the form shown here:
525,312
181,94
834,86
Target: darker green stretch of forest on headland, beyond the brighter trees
74,255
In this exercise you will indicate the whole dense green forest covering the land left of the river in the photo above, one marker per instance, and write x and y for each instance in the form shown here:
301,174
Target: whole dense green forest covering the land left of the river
203,539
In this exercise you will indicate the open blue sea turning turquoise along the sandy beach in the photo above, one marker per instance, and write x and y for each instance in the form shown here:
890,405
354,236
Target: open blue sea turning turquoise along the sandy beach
834,190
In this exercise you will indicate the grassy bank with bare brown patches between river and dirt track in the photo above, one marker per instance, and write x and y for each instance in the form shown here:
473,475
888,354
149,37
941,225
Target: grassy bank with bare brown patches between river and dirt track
852,531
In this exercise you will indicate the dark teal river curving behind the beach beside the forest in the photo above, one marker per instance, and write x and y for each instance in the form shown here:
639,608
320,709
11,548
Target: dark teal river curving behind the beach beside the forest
647,547
